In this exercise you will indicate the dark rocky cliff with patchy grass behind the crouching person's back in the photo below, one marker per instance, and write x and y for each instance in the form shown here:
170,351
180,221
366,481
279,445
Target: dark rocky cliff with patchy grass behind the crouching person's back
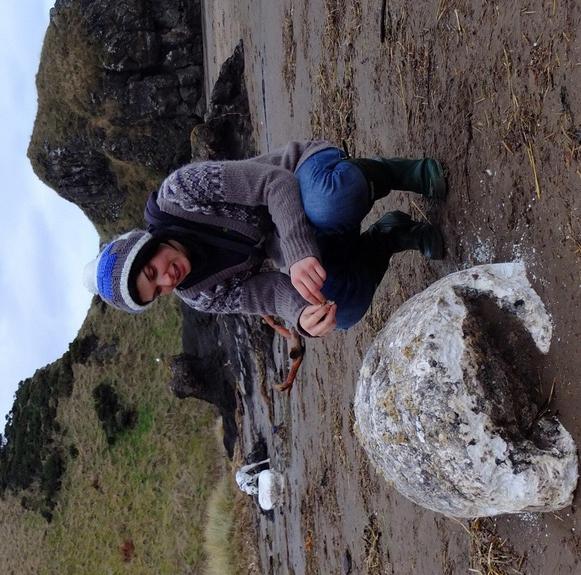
120,86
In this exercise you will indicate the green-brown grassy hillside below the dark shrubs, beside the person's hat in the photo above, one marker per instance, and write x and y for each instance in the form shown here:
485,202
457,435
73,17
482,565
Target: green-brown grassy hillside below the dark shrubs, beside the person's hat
135,505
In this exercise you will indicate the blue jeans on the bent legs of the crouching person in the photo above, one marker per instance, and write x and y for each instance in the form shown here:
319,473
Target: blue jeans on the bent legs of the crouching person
336,199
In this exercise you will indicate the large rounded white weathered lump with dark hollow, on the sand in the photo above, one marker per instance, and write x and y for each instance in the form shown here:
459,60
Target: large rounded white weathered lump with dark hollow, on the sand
443,406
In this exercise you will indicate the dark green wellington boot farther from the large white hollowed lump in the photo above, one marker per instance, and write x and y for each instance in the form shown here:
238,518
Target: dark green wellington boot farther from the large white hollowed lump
424,176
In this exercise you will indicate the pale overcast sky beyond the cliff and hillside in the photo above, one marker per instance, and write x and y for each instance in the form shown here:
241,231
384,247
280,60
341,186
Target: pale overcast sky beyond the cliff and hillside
45,241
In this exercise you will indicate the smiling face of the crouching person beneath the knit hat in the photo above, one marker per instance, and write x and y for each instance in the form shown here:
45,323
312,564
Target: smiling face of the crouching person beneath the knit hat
163,272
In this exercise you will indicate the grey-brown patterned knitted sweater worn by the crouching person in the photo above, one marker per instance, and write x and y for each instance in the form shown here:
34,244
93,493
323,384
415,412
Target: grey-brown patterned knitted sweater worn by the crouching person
259,198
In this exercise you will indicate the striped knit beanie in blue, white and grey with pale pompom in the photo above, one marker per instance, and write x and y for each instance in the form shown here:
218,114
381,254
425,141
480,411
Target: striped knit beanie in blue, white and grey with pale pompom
108,274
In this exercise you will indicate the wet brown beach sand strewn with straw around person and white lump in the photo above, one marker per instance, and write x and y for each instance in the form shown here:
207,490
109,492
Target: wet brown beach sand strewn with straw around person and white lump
494,92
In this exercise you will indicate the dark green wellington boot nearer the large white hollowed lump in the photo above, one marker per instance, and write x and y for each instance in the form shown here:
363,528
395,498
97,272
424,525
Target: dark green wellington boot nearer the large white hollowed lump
396,232
